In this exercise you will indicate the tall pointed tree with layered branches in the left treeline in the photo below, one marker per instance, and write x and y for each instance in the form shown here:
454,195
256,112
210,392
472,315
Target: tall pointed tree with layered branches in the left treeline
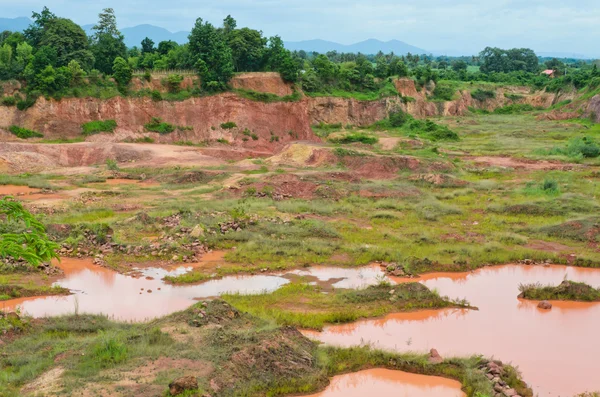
107,42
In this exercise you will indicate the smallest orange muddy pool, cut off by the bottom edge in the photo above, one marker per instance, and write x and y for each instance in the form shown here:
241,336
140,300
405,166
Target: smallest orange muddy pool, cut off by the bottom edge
386,383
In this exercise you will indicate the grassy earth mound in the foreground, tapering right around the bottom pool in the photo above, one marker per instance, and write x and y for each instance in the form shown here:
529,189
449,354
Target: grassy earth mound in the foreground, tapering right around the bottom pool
92,350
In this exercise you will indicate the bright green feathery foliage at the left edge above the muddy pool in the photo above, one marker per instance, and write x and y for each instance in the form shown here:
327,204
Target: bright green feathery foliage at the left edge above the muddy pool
22,237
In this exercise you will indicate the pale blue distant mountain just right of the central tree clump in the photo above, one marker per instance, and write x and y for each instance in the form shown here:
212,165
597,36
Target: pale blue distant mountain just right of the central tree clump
371,46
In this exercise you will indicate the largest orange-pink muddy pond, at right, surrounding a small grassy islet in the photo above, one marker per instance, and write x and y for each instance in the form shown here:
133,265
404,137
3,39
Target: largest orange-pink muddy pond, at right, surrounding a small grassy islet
556,350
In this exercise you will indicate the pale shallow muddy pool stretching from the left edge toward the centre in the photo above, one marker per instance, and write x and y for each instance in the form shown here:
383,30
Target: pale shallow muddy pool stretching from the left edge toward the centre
145,296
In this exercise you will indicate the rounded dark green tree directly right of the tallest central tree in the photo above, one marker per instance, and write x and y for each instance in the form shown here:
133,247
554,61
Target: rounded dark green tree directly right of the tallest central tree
247,49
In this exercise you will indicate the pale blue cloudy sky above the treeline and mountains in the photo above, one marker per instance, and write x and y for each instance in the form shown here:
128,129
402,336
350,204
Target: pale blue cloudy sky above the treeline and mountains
569,26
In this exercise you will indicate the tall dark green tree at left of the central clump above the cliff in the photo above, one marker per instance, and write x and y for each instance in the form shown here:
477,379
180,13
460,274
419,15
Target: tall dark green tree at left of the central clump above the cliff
207,44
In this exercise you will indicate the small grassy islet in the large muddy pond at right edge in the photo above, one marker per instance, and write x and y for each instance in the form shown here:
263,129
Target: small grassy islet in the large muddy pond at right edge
567,290
